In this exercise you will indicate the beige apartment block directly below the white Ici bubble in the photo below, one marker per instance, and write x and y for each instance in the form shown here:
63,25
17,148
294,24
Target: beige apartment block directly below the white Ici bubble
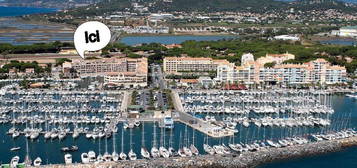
123,72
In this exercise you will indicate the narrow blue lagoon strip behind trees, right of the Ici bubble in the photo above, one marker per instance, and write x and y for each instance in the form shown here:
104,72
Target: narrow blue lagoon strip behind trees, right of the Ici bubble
171,39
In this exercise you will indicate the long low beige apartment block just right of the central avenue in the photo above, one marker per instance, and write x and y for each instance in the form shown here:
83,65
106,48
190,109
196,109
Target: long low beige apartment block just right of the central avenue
175,65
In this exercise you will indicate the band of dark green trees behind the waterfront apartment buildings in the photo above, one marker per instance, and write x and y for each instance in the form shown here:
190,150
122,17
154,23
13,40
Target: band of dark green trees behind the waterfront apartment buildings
232,50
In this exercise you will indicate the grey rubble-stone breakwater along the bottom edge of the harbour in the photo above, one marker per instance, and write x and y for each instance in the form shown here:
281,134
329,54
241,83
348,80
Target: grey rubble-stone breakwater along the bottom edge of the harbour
247,159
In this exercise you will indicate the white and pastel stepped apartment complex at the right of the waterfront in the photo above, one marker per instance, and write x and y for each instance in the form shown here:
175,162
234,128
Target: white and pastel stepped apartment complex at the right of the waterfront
316,71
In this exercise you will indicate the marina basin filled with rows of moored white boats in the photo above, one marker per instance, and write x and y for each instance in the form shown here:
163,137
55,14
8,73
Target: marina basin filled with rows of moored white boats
90,127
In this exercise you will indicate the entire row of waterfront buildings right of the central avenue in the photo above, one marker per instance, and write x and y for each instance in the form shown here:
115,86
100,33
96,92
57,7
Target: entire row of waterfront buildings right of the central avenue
252,71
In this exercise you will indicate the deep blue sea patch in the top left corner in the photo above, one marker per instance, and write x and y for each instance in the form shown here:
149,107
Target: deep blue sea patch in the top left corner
19,11
